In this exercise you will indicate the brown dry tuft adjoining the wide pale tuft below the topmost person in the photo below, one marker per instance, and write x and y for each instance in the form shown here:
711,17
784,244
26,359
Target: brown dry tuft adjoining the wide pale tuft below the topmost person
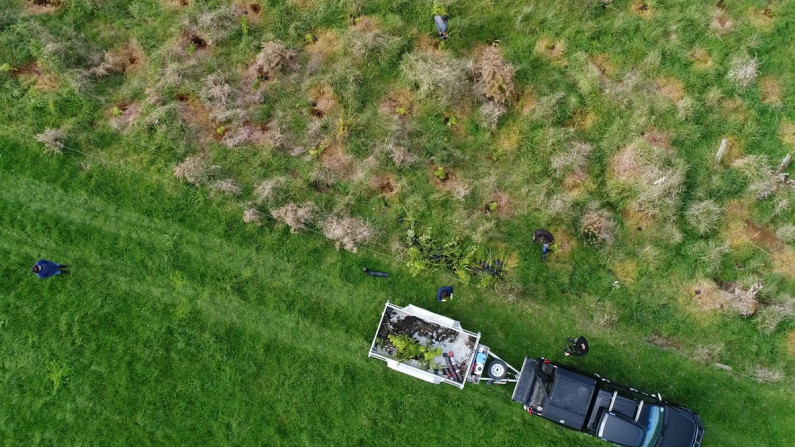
494,77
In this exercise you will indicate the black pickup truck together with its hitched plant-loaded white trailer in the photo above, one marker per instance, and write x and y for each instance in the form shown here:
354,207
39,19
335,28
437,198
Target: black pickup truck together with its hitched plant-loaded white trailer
437,349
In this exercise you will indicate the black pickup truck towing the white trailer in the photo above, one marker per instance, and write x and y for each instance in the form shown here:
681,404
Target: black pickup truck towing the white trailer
599,407
